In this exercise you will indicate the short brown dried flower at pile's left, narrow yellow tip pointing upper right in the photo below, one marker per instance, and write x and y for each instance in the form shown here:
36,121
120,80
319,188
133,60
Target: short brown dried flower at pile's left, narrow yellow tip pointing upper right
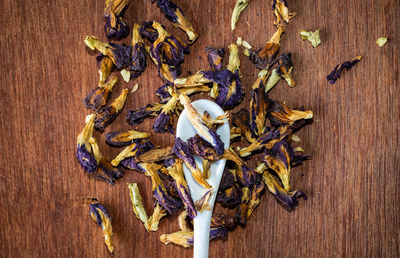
99,96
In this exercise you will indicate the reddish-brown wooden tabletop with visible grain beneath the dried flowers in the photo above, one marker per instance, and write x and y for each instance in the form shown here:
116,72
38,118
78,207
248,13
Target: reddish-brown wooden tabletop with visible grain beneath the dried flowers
352,180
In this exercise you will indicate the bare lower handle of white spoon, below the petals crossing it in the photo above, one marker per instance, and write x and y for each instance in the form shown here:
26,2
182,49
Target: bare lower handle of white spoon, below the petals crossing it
201,224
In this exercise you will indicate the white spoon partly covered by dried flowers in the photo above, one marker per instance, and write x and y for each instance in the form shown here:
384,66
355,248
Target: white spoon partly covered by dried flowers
185,130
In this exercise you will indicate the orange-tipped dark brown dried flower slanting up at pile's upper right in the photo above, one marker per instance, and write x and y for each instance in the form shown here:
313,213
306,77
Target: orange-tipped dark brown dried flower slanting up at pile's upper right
263,57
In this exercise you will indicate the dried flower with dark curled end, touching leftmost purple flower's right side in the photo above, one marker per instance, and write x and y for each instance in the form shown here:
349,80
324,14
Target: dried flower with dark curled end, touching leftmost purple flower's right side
110,173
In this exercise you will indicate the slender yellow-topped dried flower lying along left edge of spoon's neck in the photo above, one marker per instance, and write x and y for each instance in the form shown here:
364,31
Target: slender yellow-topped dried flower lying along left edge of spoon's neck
176,171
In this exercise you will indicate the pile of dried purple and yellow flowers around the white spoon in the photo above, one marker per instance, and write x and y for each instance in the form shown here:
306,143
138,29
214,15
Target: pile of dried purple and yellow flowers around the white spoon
267,126
